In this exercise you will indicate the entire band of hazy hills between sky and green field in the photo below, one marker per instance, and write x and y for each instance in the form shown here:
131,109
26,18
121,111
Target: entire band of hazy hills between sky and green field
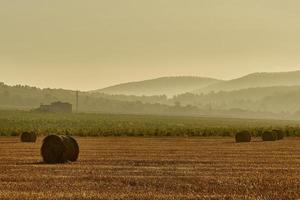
261,95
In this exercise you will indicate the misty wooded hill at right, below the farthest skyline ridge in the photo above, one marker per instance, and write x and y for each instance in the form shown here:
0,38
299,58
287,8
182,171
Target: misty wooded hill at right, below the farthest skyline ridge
267,99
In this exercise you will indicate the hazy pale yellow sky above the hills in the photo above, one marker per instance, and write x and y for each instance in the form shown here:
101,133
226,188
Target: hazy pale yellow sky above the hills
89,44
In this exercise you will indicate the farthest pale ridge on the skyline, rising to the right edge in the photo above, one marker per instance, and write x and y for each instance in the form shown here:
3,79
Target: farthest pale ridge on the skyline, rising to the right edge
255,80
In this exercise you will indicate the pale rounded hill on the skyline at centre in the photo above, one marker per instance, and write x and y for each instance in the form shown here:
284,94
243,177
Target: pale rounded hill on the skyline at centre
161,86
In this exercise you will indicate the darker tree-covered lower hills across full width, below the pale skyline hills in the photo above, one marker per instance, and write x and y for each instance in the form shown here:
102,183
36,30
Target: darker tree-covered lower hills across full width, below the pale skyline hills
253,102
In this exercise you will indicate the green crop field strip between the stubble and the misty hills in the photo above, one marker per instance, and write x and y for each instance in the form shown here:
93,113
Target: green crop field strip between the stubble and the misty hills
13,123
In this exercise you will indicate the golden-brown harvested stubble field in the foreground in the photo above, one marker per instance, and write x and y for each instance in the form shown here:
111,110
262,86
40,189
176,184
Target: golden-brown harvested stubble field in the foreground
154,168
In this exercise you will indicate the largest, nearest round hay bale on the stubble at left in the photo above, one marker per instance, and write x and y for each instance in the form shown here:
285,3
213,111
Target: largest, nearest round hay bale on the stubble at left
59,149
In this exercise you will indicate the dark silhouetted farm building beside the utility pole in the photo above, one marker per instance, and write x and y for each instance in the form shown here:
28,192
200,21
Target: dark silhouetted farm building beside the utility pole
56,107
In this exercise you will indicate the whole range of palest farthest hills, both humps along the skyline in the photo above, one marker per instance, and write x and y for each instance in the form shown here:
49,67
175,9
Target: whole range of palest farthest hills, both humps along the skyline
179,85
